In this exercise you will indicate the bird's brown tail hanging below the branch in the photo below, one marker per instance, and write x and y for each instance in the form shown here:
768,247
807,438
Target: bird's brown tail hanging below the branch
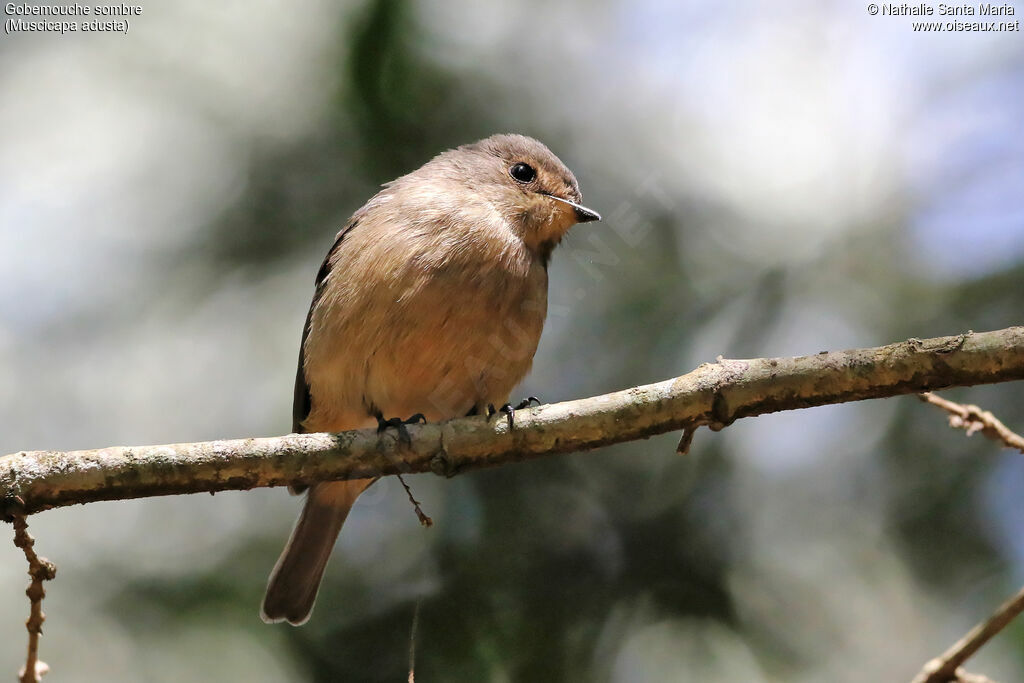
292,588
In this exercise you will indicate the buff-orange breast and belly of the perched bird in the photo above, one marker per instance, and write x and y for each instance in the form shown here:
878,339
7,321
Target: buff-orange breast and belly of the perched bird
437,330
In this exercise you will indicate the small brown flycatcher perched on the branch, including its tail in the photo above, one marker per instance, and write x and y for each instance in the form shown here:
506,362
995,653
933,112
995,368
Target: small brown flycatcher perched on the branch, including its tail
431,304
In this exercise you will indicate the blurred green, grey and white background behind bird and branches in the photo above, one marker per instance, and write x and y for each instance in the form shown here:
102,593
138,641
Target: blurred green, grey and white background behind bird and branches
777,180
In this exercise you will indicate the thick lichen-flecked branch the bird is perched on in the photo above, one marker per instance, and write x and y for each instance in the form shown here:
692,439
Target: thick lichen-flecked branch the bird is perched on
714,395
